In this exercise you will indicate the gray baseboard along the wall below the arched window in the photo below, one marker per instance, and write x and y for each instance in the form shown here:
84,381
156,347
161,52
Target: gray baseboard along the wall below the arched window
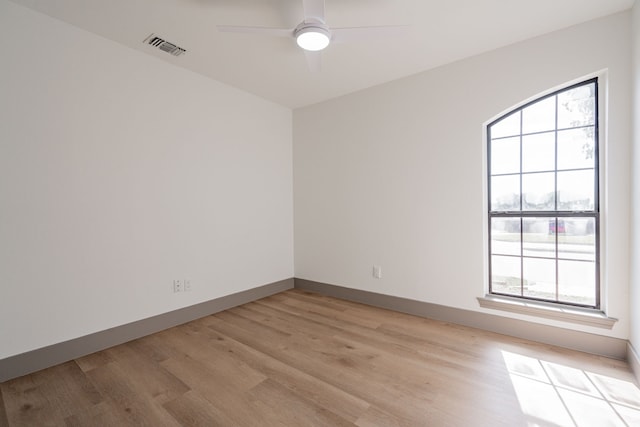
591,343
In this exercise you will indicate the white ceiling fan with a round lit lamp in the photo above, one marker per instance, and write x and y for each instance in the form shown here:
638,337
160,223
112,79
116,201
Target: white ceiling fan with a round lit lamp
313,34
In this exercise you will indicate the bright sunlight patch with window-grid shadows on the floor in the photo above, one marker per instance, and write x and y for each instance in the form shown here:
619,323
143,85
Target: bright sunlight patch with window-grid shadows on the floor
552,394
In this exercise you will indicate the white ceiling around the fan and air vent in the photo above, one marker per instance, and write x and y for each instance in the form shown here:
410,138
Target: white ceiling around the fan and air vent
439,32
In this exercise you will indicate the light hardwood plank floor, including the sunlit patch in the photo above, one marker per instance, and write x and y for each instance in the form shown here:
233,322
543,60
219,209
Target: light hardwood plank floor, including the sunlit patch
303,359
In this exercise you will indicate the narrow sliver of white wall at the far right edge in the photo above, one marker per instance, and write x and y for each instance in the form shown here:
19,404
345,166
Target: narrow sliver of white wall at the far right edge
634,300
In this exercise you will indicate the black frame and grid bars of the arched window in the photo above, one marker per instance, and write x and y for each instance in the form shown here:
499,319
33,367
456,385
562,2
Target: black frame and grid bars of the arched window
557,214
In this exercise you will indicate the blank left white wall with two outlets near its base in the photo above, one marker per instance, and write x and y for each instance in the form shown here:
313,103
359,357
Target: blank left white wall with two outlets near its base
119,173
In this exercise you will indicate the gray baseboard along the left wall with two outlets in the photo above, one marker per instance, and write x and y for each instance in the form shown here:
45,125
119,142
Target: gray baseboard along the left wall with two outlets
25,363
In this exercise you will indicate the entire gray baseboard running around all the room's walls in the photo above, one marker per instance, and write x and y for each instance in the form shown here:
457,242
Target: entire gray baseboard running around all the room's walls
25,363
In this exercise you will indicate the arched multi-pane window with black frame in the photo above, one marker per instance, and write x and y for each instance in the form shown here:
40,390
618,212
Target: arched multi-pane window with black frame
543,199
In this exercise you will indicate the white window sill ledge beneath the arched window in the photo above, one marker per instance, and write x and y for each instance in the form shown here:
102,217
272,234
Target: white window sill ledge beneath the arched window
582,316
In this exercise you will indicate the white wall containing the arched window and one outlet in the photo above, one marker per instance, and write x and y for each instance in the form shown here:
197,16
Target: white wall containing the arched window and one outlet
393,175
